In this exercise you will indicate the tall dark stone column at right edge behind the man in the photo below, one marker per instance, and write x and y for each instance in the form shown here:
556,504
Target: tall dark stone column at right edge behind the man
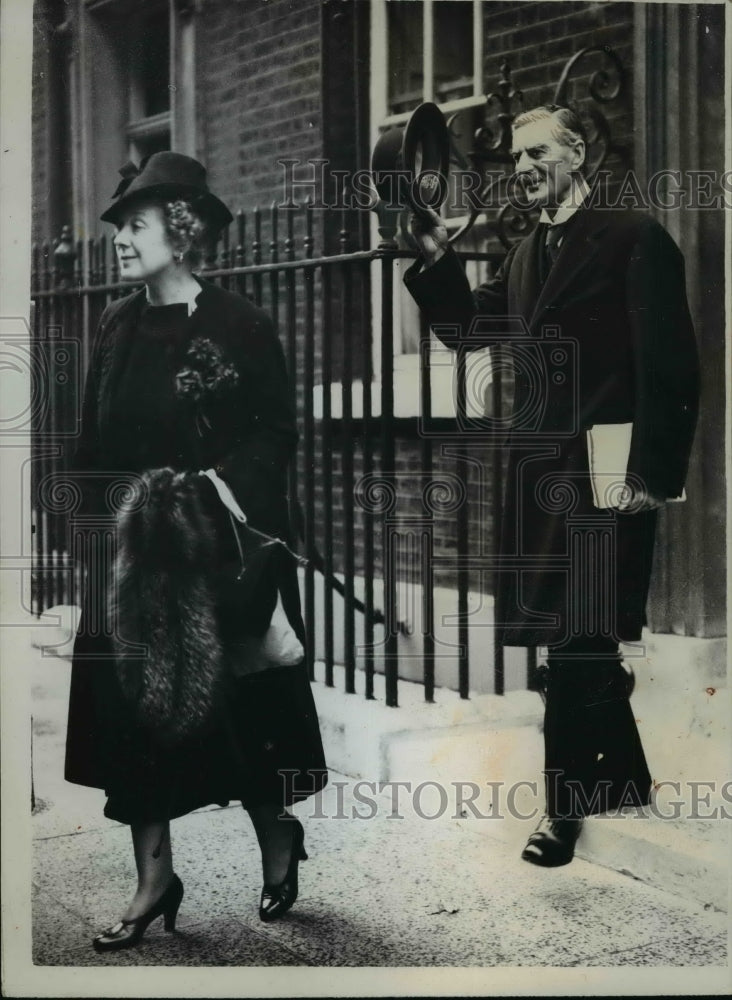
679,117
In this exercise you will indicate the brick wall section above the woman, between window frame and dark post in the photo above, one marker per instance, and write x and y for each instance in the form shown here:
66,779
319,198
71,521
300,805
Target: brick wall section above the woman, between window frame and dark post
258,94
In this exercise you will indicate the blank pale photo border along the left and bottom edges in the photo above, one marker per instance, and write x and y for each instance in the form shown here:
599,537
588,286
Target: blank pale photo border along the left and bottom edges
20,977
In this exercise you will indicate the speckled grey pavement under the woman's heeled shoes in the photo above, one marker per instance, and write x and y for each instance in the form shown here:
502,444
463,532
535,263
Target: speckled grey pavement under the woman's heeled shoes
380,891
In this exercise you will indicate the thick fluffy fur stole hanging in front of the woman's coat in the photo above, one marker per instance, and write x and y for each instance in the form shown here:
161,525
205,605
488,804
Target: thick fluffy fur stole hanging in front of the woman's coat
163,599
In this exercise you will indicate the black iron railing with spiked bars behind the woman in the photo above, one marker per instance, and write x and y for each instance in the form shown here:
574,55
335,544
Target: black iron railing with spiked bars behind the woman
358,456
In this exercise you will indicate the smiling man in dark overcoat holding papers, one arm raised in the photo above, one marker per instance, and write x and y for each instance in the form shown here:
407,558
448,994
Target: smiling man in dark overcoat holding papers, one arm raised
603,416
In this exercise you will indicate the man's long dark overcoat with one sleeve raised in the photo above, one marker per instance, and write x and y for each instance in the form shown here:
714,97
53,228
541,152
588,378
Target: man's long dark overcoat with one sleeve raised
616,297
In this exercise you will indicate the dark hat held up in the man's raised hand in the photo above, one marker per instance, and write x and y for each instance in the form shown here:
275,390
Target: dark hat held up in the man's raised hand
416,157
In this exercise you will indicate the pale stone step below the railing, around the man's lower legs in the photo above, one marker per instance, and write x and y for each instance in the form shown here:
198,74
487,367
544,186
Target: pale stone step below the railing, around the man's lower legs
489,749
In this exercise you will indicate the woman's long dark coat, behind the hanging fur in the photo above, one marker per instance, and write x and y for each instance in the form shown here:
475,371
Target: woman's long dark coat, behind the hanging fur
268,722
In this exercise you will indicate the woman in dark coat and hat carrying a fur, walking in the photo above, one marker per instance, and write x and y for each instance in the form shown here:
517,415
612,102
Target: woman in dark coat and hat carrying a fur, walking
186,378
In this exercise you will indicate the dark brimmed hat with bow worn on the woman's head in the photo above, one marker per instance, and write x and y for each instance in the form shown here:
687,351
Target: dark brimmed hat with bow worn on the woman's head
168,175
